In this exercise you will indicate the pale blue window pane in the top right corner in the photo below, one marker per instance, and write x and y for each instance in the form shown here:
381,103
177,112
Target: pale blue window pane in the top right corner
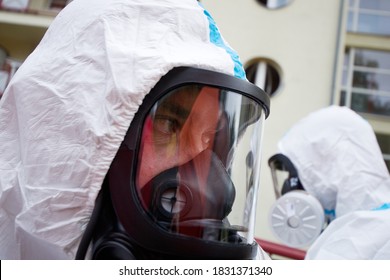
369,16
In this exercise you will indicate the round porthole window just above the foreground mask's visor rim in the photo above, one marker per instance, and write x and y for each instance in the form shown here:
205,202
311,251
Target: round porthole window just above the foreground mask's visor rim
265,74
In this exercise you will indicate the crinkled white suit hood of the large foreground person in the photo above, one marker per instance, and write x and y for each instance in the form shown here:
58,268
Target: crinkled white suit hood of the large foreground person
68,107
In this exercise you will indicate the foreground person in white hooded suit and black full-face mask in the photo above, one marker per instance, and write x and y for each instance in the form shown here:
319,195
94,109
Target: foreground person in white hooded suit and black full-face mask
124,135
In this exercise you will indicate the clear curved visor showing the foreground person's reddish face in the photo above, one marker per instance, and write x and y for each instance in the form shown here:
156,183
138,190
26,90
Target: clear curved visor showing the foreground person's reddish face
199,163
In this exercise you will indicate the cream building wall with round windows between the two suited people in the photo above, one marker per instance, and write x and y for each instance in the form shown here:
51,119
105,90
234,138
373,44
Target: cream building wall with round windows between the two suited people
303,39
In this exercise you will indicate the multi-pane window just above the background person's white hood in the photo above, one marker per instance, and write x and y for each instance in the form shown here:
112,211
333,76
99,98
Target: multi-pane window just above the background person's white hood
366,81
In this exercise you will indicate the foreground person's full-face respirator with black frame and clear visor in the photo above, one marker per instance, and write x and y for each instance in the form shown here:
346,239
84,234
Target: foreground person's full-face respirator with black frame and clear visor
175,189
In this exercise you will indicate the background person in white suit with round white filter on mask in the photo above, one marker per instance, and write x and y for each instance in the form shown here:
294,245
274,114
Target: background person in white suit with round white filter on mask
336,177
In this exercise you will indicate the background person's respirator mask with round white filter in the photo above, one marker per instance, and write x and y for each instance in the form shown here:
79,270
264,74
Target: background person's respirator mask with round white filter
296,218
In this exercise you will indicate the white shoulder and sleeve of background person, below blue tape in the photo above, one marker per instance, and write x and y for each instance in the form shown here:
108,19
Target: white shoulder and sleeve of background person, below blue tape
358,235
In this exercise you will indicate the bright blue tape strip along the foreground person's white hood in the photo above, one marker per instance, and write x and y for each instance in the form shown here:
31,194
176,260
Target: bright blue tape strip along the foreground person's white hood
216,39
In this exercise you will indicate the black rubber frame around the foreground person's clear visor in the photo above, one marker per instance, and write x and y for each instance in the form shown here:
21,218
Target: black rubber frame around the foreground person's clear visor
134,224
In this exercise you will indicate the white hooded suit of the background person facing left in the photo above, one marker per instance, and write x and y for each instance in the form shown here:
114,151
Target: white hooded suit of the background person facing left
339,161
